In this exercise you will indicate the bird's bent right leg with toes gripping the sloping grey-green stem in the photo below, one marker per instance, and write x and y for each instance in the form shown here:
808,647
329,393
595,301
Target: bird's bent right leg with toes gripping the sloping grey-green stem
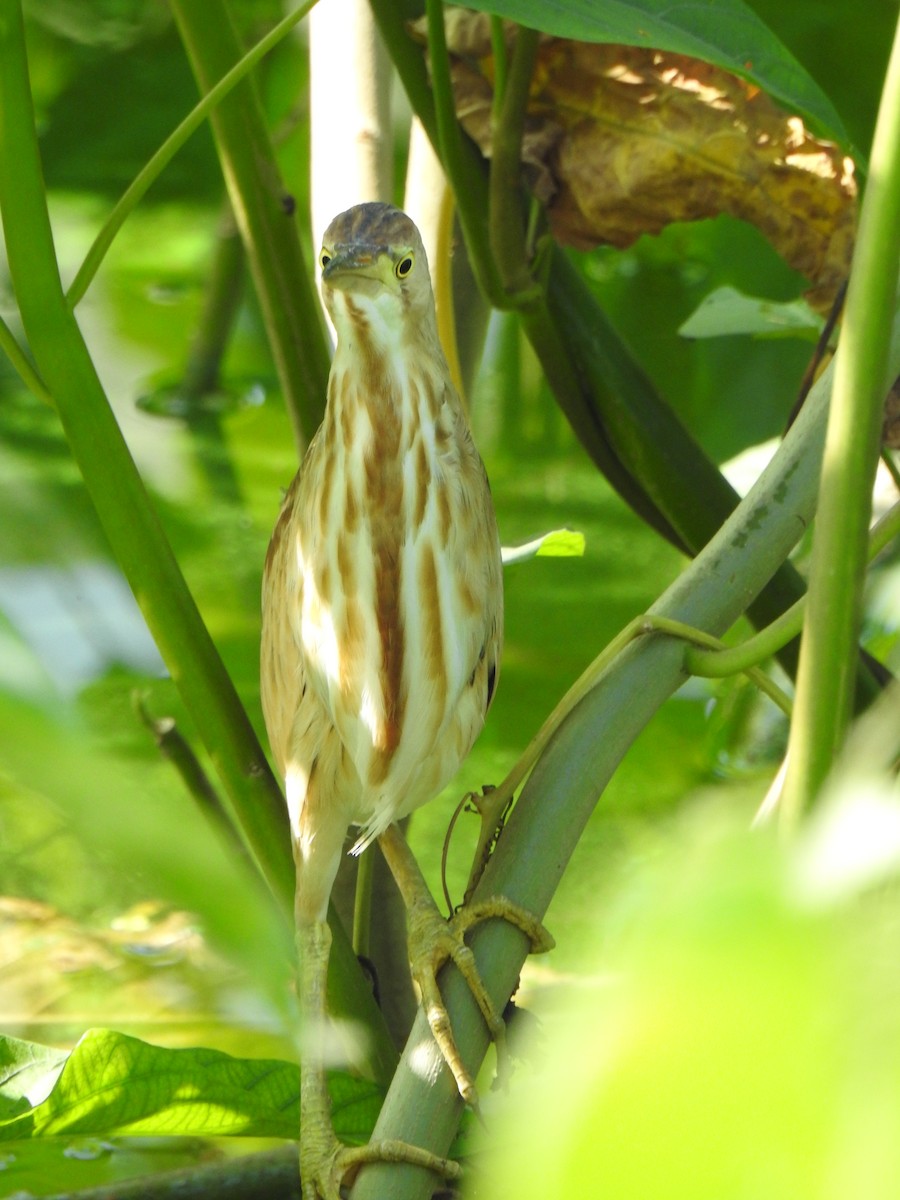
434,941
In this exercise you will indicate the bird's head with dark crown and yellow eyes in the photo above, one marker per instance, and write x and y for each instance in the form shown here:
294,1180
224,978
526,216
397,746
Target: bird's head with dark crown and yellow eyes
374,266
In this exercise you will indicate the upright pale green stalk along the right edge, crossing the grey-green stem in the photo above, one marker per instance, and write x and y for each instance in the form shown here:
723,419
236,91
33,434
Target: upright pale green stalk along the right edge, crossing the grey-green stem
825,677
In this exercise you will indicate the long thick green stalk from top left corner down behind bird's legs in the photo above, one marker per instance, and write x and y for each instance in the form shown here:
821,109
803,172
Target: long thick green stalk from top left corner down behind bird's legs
133,529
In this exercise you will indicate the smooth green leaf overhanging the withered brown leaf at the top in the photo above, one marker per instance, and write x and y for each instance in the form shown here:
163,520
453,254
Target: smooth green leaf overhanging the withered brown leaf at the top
727,33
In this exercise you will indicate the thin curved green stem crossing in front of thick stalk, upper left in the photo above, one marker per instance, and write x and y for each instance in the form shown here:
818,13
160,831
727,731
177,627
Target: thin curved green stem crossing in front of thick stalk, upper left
167,152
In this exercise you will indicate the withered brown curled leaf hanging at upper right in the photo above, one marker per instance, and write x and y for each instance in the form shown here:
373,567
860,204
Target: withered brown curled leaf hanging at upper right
625,141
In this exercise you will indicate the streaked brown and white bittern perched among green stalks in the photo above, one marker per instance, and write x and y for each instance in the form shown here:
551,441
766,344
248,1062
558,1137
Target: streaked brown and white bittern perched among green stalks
382,628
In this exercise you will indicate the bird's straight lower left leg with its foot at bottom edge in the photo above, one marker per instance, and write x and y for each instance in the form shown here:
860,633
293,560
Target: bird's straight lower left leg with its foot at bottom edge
325,1161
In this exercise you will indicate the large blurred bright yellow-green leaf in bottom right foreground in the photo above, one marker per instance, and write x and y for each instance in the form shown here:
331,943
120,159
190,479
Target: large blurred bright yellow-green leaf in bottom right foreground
745,1035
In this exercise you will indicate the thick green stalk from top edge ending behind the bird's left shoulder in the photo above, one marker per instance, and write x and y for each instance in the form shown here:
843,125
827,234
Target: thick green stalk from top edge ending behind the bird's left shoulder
265,214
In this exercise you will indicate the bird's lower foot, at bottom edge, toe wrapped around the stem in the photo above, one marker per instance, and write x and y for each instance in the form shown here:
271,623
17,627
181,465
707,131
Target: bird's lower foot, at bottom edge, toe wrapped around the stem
326,1163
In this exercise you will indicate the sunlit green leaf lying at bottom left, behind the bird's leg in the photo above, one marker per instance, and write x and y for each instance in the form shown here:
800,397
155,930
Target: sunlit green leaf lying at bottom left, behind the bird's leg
116,1085
